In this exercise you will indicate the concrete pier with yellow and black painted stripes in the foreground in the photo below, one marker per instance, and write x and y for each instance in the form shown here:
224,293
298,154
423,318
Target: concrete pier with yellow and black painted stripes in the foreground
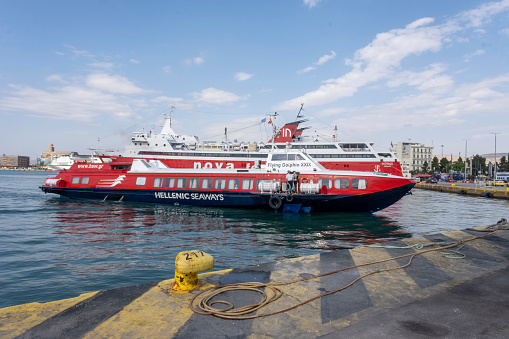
459,292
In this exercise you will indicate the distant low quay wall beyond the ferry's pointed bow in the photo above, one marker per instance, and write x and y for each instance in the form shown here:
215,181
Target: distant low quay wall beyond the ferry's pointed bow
484,191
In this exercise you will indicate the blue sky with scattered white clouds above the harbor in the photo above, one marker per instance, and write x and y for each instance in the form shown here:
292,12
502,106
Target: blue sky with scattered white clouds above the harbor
87,74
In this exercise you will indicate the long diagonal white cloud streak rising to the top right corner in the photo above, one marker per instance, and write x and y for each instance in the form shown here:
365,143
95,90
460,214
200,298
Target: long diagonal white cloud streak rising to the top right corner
382,57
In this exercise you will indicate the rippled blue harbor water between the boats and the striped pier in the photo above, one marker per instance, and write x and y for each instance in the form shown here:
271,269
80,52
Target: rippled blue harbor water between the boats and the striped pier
53,248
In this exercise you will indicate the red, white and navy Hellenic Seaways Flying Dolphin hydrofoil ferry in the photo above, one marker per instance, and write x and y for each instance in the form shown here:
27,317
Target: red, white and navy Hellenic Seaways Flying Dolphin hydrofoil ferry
261,186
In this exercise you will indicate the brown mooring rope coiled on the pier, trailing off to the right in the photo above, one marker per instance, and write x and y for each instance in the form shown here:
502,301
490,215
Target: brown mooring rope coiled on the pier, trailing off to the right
270,291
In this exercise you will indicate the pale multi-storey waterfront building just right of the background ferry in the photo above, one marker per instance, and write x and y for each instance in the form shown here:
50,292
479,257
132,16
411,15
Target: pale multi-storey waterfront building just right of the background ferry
412,155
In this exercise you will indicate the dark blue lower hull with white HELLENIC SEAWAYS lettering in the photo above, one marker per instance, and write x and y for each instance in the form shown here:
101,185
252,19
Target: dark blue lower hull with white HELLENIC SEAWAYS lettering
371,202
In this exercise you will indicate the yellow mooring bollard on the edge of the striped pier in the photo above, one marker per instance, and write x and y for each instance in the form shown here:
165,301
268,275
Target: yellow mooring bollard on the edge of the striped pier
187,266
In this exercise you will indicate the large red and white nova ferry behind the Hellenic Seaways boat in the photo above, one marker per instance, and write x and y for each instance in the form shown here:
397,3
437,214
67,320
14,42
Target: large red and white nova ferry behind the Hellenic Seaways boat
187,151
